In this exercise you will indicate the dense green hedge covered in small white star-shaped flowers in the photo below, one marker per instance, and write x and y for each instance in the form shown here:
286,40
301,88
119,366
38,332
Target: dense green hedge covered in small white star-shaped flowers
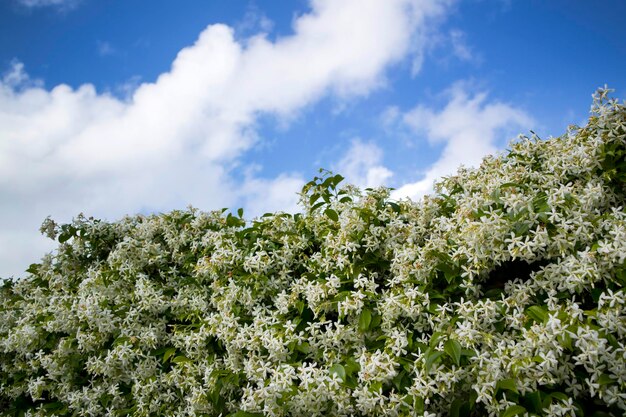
502,294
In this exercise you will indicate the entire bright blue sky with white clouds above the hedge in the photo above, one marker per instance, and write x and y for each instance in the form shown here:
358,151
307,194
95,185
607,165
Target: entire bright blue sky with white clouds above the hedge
120,107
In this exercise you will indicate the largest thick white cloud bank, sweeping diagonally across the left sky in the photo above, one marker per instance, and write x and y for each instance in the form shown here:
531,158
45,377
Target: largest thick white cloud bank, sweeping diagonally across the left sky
176,141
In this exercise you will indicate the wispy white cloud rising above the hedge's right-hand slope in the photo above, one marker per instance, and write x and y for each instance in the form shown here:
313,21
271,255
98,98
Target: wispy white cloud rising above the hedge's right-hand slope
468,127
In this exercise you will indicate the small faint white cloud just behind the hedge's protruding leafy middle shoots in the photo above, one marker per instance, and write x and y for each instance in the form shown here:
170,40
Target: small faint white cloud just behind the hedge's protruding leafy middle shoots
361,165
